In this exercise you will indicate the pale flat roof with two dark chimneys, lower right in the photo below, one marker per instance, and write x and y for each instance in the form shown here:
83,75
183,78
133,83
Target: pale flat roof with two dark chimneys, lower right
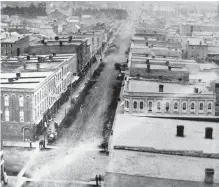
137,131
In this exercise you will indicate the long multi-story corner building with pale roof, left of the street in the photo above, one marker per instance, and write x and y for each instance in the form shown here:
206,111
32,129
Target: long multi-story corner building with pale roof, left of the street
32,96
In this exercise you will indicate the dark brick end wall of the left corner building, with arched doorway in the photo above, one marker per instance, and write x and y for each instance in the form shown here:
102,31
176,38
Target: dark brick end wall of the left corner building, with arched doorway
14,127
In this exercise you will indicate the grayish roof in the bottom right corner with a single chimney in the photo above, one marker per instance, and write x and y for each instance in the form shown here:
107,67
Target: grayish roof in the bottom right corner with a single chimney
158,166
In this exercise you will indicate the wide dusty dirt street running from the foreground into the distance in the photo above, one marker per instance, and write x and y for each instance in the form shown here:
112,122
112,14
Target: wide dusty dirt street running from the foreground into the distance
78,157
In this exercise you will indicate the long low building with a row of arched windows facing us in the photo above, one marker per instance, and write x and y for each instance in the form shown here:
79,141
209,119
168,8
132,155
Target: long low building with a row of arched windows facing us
166,98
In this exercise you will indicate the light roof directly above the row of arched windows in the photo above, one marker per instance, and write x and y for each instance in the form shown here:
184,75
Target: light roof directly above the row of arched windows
173,88
